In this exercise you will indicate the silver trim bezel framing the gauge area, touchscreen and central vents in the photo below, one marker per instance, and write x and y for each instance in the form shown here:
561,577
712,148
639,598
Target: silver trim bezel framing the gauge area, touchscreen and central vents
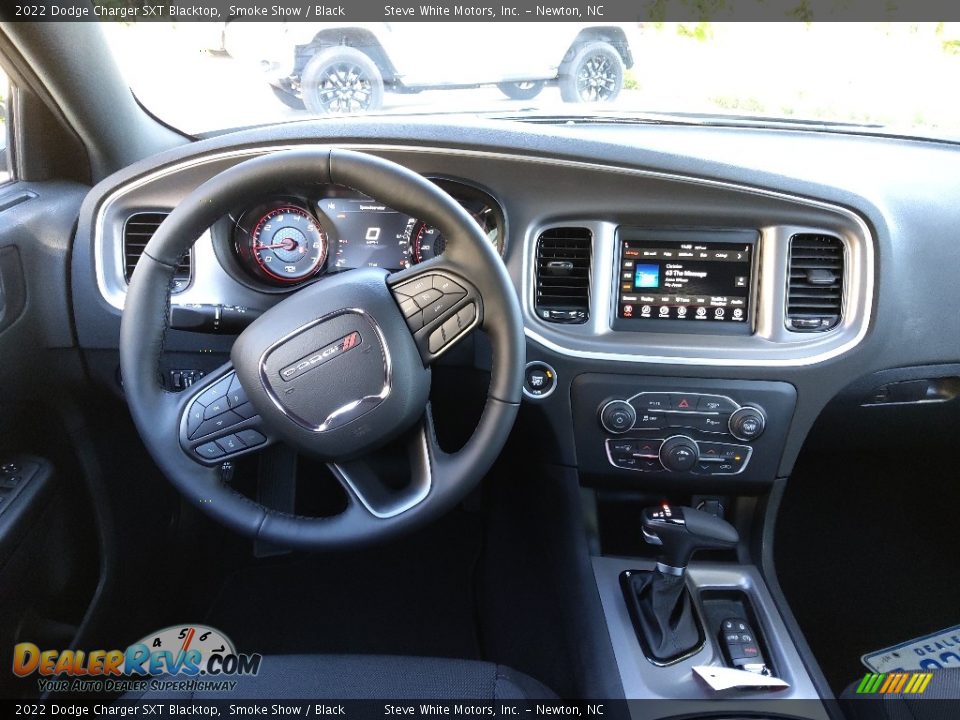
796,351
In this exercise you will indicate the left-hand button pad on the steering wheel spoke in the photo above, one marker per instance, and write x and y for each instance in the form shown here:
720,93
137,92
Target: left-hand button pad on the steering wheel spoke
217,421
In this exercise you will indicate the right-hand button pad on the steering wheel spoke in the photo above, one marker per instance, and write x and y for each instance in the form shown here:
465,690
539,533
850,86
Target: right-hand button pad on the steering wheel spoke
440,306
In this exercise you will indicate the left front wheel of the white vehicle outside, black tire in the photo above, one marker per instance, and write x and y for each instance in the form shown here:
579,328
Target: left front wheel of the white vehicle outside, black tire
341,80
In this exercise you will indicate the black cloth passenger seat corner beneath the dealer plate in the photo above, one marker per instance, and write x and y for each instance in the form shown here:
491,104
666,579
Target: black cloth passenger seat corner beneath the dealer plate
940,701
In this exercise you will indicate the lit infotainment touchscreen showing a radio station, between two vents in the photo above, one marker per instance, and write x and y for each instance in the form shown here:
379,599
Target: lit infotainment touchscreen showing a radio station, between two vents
692,277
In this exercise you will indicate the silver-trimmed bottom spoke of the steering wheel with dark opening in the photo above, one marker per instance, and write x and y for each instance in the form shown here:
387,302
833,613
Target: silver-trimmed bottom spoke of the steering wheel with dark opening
395,478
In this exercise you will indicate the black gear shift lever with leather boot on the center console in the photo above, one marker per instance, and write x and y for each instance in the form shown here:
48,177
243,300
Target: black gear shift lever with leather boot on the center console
659,603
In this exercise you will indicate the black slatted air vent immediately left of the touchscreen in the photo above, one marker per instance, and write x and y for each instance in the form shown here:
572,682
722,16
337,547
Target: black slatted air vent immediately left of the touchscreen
563,275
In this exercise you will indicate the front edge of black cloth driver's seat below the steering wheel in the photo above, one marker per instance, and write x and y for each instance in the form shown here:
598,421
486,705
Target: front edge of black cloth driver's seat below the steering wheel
369,677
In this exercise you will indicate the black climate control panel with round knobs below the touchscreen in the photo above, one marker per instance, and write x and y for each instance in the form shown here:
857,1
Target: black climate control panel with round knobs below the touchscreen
689,428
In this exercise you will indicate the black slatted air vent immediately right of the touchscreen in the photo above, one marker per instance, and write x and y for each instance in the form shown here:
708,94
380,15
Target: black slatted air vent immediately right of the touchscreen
815,285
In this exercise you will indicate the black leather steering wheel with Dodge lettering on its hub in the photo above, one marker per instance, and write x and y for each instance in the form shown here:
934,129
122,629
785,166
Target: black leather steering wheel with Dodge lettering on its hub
339,370
